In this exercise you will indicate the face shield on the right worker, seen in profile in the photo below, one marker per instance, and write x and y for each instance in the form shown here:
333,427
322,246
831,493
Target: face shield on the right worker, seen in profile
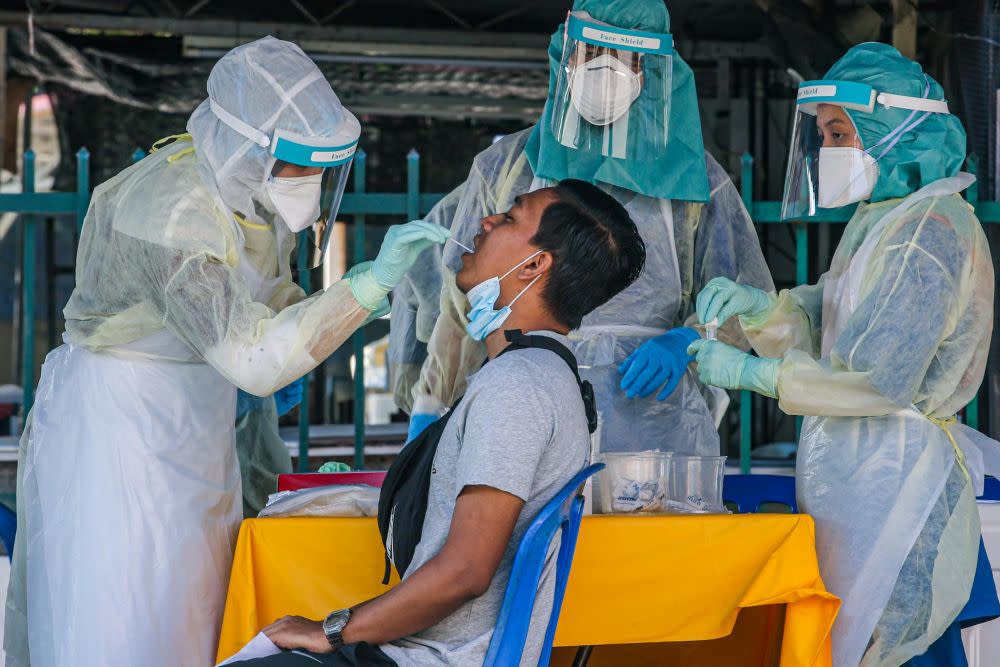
828,165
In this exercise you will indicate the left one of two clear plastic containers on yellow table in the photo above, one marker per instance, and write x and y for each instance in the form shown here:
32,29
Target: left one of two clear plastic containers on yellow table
632,483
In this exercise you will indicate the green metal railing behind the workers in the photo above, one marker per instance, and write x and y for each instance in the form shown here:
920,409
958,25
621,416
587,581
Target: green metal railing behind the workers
359,204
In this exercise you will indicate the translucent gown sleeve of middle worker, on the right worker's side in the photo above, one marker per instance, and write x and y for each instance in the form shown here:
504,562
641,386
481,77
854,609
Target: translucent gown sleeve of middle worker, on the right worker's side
726,244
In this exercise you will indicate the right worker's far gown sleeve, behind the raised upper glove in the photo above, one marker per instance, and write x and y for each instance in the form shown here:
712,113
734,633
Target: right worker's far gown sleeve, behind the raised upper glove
793,323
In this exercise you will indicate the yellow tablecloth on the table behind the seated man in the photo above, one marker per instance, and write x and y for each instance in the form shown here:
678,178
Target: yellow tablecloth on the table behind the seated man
634,580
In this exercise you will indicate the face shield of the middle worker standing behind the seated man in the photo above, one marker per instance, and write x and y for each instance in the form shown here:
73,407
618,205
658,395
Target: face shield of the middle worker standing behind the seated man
612,94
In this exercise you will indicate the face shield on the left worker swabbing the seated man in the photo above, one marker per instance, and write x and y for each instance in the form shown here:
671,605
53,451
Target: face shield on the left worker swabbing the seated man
307,204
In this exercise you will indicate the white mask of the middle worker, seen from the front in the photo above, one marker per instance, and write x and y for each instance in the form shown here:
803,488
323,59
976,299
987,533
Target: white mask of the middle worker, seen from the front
603,89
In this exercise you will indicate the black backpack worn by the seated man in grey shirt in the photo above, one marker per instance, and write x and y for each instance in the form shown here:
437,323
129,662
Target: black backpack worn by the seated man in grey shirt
402,502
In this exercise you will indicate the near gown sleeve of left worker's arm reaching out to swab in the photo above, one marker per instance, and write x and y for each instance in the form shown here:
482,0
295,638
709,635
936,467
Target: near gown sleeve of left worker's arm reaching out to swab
204,301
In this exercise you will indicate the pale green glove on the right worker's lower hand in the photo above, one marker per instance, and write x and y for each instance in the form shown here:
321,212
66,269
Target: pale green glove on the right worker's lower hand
725,366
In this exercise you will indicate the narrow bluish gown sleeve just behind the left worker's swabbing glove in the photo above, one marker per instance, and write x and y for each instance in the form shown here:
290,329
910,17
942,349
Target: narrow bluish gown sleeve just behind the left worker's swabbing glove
416,304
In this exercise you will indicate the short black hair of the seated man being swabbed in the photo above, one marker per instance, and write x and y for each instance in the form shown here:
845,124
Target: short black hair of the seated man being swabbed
595,246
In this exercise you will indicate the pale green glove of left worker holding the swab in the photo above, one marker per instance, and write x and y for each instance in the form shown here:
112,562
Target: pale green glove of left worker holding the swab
400,249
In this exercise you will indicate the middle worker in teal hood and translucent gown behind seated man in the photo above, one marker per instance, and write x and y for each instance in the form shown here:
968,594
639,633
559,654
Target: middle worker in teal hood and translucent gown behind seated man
622,113
